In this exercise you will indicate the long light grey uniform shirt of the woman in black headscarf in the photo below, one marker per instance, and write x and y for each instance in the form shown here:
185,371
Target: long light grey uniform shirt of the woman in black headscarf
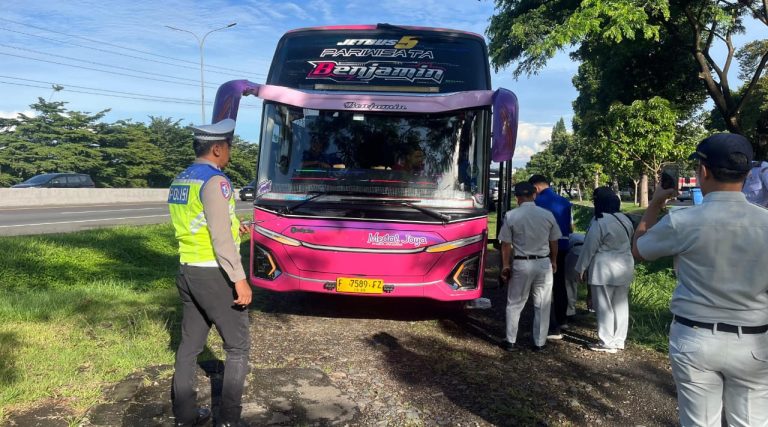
607,252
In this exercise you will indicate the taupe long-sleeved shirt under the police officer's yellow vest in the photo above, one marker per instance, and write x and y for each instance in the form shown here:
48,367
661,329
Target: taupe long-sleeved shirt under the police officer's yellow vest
217,216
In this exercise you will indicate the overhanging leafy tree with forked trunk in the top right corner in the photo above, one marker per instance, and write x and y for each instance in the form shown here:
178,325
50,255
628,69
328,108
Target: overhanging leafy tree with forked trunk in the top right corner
530,32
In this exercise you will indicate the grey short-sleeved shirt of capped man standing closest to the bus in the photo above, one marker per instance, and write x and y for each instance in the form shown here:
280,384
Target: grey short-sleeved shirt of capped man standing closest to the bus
529,229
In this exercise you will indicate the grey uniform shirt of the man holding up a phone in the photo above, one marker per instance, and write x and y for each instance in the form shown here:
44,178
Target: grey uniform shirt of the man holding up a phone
719,249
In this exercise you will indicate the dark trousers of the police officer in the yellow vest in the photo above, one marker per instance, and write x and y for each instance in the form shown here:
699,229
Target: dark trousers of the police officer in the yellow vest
207,296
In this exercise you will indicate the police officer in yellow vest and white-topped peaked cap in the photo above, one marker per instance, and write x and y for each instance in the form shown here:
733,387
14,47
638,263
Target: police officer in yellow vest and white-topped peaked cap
211,280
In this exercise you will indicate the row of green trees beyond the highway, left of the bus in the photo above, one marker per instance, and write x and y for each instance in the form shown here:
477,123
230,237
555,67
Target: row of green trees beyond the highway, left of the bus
121,154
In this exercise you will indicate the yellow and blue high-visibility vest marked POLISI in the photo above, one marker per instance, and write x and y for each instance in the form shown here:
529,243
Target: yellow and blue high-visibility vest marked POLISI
188,217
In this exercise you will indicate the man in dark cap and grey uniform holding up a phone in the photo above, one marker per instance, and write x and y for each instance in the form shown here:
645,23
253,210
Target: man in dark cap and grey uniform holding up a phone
718,345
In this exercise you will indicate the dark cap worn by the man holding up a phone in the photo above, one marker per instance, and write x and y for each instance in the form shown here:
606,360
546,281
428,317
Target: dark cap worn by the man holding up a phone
725,151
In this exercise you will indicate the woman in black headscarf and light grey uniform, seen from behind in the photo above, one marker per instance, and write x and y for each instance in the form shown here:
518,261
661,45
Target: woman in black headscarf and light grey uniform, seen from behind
606,257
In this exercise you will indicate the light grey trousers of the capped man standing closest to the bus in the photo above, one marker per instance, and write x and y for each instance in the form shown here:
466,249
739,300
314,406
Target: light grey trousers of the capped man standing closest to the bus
530,278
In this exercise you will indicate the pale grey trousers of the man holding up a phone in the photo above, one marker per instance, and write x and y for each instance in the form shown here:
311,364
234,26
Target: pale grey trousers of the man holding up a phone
712,368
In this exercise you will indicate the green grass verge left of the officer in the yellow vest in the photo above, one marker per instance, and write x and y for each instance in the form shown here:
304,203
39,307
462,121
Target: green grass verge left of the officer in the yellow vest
82,310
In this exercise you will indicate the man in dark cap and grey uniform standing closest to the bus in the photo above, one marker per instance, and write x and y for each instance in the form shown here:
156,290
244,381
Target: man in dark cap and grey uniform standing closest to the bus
529,237
